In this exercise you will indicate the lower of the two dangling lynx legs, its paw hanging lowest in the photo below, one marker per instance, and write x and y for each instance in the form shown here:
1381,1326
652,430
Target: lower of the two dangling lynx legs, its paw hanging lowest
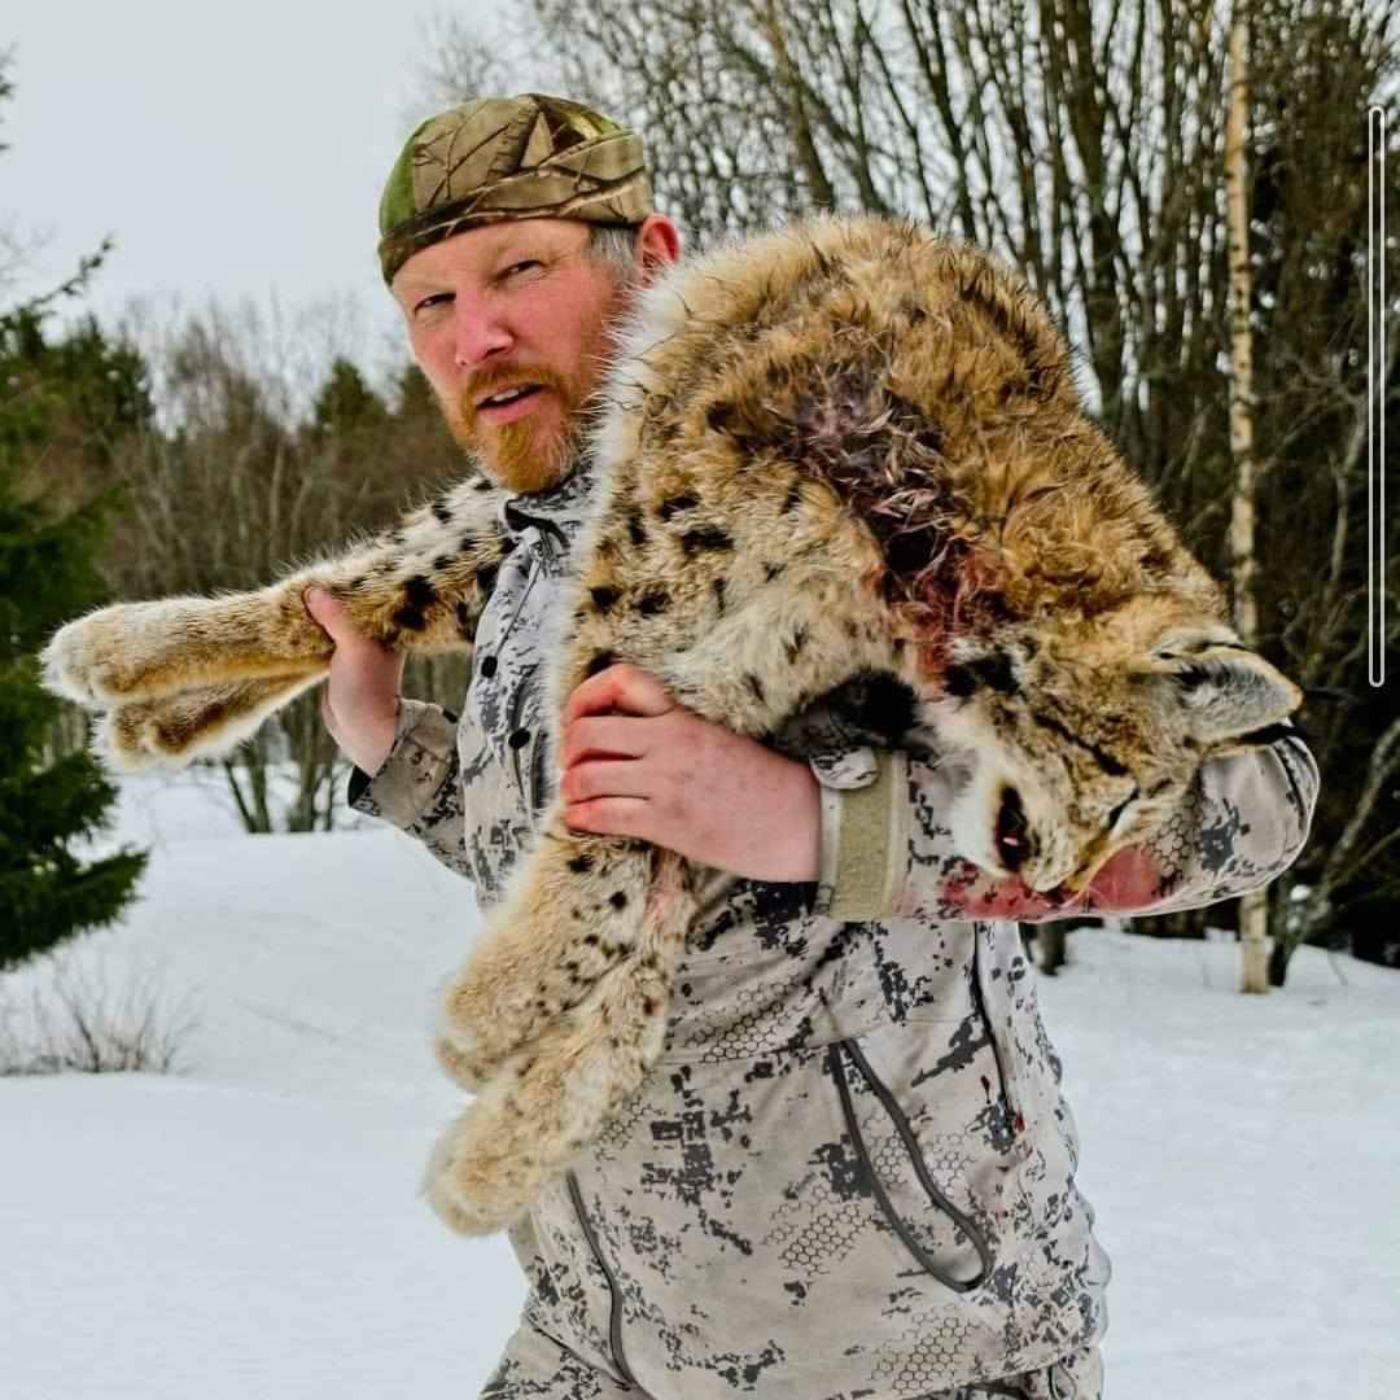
530,1123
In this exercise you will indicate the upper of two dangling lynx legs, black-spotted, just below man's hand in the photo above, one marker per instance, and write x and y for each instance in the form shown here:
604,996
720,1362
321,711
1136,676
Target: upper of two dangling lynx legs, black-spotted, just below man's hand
576,912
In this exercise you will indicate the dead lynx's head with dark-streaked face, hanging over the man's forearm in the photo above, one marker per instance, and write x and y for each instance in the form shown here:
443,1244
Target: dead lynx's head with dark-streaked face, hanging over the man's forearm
1080,738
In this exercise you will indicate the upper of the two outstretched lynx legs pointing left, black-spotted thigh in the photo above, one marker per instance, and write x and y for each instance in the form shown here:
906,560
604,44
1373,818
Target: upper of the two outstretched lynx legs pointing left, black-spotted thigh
421,587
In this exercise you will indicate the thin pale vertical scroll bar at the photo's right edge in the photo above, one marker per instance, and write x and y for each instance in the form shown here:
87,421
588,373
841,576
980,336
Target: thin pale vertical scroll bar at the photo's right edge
1375,395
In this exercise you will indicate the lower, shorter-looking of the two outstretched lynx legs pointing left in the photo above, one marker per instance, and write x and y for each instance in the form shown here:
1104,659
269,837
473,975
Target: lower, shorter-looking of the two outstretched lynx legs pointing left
195,724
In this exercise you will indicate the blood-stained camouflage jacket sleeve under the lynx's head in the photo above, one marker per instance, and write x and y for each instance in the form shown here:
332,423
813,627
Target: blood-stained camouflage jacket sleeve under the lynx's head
887,850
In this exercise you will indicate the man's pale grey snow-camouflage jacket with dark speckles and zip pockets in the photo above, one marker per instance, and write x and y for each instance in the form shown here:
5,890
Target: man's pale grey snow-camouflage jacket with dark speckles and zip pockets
852,1174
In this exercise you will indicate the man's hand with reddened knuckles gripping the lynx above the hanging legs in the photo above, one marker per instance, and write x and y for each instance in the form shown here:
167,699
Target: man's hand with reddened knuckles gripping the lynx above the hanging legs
638,764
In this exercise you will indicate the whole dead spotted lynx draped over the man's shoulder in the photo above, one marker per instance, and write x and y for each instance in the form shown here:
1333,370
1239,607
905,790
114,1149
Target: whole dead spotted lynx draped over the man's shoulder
842,451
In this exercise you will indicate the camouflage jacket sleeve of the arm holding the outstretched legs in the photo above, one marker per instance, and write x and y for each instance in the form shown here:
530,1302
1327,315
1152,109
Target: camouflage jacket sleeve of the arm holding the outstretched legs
419,786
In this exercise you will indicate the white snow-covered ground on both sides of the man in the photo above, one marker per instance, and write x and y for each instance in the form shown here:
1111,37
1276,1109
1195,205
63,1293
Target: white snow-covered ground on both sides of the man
250,1228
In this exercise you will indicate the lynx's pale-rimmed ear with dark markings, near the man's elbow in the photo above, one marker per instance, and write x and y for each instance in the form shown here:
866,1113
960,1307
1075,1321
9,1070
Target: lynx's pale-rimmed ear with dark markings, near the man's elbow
1227,691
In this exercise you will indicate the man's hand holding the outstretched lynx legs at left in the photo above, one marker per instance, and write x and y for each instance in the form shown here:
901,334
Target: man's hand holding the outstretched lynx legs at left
360,703
